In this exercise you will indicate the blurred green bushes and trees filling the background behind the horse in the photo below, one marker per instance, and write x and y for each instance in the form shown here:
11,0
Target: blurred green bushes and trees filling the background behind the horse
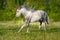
8,8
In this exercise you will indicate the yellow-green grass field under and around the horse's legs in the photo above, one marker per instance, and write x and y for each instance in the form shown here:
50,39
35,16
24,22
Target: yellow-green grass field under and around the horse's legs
8,31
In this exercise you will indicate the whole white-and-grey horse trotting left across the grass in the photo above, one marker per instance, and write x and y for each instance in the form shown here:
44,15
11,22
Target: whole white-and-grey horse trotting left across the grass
32,15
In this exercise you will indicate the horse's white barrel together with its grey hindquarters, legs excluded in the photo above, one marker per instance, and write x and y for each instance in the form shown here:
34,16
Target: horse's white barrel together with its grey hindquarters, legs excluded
39,15
